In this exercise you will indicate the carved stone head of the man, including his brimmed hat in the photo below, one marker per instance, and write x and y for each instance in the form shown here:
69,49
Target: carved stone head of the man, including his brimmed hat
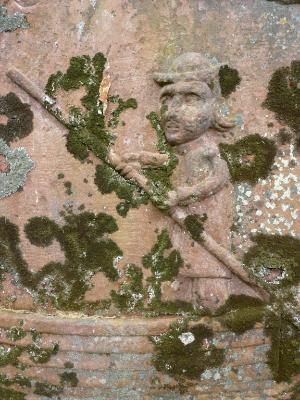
188,97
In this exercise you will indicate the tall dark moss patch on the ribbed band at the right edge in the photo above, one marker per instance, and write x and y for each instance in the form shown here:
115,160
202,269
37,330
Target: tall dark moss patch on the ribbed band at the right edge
284,354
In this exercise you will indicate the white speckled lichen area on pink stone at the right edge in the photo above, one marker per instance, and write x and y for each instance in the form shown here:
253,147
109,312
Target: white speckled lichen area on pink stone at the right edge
271,206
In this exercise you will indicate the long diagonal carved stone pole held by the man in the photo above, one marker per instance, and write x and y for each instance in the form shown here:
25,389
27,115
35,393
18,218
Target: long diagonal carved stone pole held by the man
214,248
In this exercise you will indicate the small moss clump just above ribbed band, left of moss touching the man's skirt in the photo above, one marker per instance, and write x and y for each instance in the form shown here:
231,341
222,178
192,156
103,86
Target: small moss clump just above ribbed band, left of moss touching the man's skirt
132,293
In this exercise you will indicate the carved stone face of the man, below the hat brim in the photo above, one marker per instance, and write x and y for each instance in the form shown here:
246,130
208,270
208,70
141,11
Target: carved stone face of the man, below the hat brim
187,109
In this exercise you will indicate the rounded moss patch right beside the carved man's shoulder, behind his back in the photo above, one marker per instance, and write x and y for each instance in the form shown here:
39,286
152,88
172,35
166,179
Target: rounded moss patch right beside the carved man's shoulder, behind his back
249,159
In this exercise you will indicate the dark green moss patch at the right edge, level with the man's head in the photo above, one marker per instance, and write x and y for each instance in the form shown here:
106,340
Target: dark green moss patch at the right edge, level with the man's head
283,97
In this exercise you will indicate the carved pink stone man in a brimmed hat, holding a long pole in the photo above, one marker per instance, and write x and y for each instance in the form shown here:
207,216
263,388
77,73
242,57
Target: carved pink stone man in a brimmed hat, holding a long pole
189,98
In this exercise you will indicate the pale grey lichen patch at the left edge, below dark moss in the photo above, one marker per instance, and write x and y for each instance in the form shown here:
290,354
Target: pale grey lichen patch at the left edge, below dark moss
20,164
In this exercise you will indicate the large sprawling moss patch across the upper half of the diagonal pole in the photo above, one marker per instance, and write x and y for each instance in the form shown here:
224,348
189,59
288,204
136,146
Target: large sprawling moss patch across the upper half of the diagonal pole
87,129
